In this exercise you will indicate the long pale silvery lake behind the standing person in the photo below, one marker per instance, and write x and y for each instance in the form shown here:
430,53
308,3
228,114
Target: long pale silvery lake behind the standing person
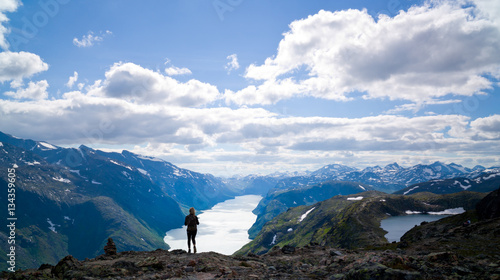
222,229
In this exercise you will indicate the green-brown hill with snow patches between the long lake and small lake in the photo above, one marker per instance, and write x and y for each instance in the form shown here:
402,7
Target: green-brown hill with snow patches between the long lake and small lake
349,222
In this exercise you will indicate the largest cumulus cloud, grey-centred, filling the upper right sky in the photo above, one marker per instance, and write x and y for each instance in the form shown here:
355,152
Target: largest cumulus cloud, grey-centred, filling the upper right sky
427,52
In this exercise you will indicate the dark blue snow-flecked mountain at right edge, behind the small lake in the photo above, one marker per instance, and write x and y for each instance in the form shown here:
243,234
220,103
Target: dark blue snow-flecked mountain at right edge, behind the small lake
486,181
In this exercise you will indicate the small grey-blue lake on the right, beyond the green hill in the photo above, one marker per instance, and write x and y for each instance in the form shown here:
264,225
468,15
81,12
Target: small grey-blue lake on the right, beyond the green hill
397,226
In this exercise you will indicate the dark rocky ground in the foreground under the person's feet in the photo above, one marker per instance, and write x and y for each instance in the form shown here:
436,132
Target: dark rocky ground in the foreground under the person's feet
310,262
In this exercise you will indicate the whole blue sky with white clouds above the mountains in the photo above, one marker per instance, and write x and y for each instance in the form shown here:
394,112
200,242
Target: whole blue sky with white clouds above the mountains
242,87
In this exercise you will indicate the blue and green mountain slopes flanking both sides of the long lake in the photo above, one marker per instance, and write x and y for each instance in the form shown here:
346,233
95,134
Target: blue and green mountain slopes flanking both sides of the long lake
70,200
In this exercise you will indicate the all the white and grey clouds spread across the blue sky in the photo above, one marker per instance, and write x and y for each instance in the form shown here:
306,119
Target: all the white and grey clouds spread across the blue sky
431,54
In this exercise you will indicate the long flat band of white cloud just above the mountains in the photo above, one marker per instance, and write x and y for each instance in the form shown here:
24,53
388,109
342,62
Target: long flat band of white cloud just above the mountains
222,139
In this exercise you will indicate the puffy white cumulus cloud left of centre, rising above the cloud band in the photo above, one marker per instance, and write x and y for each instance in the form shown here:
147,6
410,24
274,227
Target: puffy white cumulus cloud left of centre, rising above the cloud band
134,83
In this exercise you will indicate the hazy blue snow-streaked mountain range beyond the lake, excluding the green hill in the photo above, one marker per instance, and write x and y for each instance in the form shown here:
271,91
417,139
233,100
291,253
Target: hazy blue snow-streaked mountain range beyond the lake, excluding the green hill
70,200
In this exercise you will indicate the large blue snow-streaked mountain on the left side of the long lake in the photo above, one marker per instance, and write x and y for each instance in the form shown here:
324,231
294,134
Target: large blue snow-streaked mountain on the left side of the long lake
69,201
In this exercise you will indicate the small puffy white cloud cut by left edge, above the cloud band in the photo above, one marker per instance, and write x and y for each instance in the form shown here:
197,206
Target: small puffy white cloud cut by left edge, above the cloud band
19,65
